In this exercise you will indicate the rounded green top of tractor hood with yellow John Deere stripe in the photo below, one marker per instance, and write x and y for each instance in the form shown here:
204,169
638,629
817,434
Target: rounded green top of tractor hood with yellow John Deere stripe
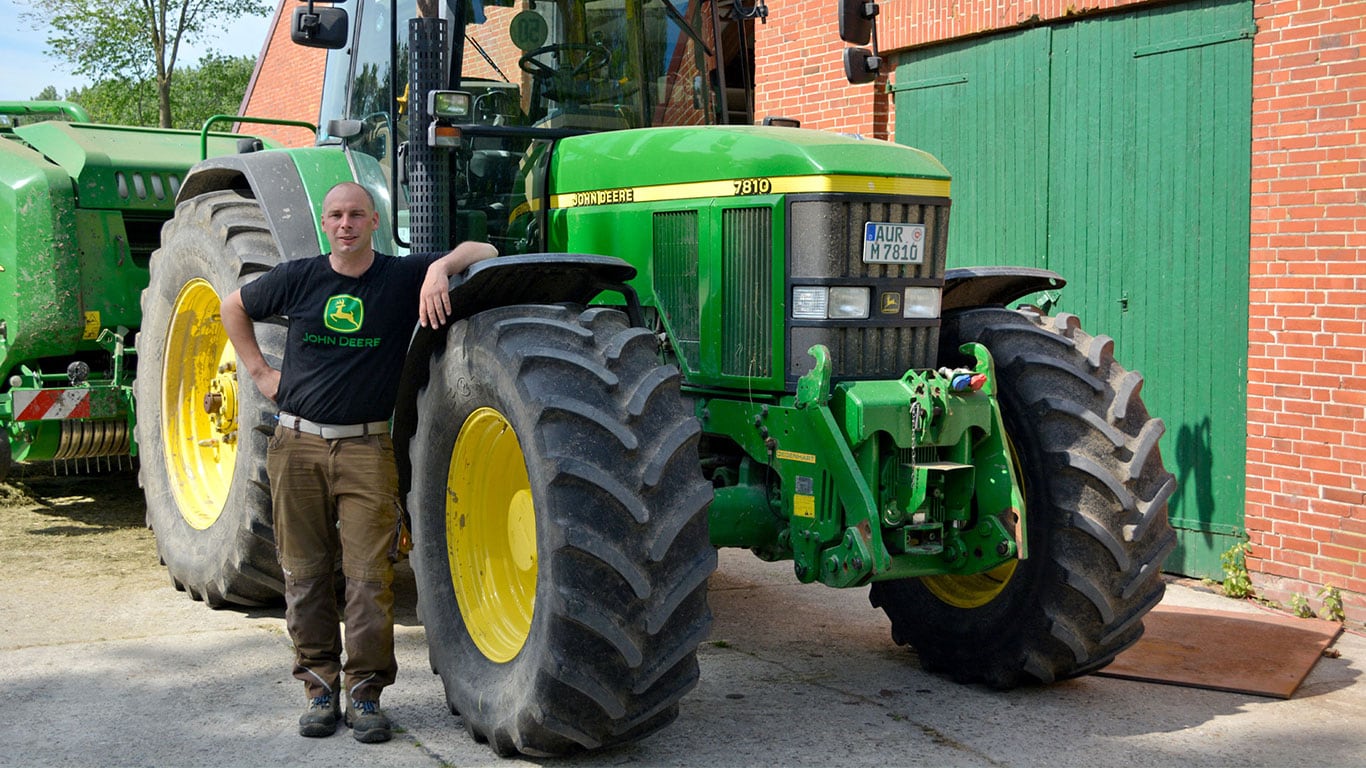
740,154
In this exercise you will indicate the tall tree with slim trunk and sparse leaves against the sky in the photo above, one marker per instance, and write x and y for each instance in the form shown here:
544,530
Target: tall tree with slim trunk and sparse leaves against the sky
133,42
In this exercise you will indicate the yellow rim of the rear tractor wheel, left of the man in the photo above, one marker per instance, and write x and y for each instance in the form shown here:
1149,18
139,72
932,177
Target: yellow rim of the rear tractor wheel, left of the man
199,407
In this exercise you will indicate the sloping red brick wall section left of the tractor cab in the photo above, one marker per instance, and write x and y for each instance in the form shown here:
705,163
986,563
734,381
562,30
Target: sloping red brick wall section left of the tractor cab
288,84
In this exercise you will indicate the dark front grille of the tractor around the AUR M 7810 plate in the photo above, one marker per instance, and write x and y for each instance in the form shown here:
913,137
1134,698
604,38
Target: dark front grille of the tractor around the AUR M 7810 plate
826,247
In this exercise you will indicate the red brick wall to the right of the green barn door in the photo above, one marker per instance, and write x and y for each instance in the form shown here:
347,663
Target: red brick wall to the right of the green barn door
1307,405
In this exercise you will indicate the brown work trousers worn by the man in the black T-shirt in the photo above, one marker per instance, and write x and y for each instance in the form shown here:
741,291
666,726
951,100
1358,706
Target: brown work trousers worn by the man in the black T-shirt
338,499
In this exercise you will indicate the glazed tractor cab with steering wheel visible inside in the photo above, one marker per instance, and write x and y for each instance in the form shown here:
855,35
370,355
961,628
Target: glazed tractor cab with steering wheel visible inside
514,77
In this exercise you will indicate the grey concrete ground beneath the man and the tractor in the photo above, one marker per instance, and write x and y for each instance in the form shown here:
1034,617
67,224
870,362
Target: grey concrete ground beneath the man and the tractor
103,663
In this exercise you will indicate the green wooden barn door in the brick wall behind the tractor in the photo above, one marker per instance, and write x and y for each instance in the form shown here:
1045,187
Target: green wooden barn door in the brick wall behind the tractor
1117,152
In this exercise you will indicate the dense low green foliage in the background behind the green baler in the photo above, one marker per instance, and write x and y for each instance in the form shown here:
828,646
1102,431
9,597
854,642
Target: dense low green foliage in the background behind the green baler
214,87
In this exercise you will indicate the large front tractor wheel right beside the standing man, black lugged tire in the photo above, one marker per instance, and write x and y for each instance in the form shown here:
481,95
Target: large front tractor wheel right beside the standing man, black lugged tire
622,554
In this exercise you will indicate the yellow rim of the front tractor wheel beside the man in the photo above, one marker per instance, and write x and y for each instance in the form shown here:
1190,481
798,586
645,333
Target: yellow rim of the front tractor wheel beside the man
491,535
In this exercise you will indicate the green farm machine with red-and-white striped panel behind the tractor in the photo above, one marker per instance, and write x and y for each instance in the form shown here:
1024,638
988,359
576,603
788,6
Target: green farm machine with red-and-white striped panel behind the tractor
81,211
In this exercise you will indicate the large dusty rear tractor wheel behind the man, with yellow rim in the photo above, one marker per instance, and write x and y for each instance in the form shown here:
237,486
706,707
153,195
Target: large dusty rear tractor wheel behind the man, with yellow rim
208,499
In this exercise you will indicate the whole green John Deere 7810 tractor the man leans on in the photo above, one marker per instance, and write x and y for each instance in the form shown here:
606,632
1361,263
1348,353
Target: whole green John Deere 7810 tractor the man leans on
701,334
